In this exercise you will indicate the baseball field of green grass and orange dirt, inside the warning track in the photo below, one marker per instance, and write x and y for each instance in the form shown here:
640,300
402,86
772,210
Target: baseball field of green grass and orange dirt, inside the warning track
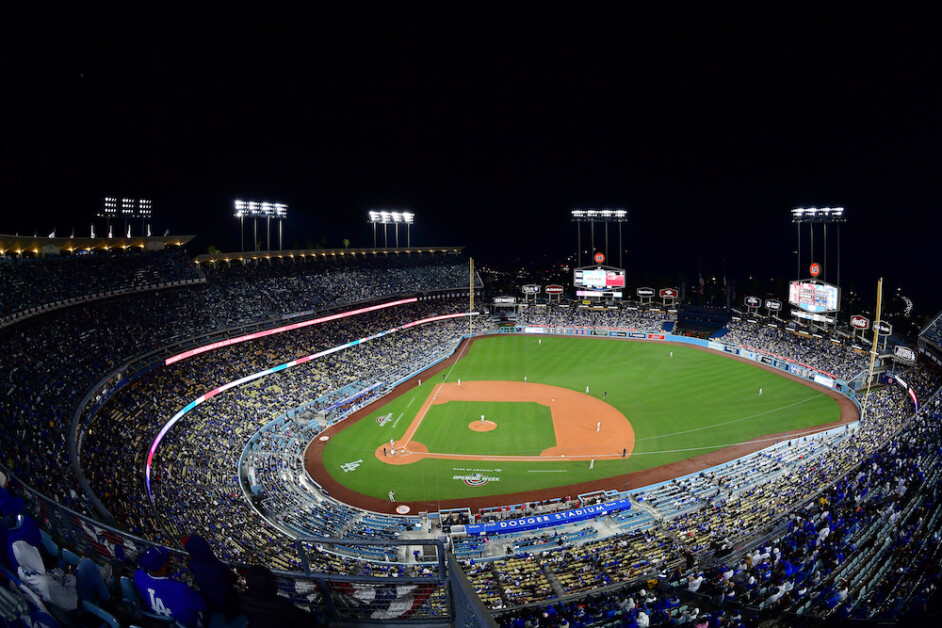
517,414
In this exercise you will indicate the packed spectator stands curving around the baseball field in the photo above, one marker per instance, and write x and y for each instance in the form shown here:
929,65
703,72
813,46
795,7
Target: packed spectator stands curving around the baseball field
842,524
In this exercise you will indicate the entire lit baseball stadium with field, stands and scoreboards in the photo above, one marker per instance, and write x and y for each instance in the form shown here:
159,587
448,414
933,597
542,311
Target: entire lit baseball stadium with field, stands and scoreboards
395,443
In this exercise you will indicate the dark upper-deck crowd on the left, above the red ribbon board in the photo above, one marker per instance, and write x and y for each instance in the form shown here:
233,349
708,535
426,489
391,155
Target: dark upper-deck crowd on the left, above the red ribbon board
50,362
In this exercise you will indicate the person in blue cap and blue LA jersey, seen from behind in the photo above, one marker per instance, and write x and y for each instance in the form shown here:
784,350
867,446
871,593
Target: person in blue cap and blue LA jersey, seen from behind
162,594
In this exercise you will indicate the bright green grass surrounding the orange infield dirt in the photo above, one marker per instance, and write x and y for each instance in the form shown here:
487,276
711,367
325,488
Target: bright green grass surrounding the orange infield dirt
679,407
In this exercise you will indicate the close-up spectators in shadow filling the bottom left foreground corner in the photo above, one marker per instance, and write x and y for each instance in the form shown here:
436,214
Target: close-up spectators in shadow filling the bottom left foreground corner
42,583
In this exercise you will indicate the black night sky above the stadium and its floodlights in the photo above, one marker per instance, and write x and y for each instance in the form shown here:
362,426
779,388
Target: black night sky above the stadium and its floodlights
707,121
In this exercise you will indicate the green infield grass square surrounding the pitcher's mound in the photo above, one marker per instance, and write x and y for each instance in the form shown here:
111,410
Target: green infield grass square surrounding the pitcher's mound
523,429
